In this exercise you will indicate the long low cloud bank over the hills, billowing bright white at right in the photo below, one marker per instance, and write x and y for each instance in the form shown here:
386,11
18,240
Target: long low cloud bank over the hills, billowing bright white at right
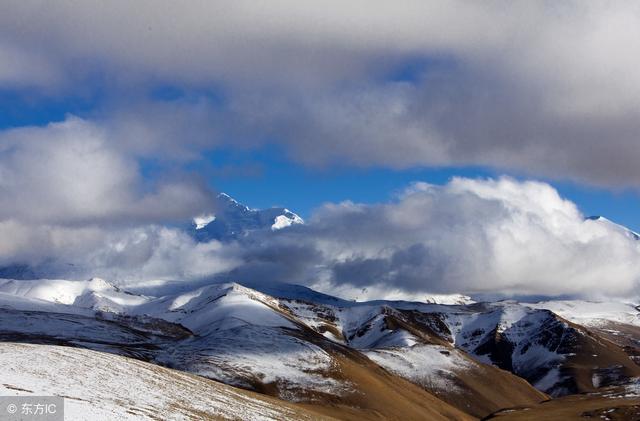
472,236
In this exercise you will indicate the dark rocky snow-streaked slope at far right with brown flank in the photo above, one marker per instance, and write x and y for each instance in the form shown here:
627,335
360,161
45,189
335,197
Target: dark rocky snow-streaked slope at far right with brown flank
556,356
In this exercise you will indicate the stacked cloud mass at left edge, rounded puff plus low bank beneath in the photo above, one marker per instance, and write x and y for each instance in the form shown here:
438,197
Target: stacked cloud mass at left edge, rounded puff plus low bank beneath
75,202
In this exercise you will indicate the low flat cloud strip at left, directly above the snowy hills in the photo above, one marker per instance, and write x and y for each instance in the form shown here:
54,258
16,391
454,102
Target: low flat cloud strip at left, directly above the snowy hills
130,254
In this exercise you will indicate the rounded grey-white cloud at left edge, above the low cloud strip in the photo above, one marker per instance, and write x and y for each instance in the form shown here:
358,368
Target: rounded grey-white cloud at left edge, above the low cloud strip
73,173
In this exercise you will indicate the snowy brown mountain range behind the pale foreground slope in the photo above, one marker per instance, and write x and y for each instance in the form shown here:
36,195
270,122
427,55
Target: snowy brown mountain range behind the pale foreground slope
299,345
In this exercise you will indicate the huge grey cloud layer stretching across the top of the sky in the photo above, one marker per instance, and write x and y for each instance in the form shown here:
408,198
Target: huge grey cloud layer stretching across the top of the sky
537,88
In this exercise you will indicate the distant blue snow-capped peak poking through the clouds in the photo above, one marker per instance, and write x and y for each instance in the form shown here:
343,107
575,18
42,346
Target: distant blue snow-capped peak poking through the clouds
233,220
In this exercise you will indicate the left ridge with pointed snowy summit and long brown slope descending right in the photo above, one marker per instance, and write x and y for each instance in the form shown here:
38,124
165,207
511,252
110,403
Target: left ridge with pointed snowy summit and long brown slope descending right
229,333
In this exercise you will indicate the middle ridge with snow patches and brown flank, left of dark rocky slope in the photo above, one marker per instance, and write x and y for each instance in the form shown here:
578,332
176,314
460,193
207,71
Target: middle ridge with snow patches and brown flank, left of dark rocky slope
396,341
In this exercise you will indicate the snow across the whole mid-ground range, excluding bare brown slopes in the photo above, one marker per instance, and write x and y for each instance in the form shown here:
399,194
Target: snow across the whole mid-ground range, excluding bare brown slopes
231,327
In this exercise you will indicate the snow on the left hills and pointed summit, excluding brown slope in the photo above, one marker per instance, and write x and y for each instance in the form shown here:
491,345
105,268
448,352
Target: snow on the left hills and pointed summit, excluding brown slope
240,336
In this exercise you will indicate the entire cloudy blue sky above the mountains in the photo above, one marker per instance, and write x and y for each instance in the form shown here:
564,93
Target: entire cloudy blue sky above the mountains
119,122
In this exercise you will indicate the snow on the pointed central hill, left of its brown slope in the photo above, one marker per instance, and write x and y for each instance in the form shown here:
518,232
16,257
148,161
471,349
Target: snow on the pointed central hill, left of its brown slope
234,327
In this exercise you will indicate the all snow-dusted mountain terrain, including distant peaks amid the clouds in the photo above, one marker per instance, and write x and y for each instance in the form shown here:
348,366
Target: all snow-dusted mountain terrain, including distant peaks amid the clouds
432,359
